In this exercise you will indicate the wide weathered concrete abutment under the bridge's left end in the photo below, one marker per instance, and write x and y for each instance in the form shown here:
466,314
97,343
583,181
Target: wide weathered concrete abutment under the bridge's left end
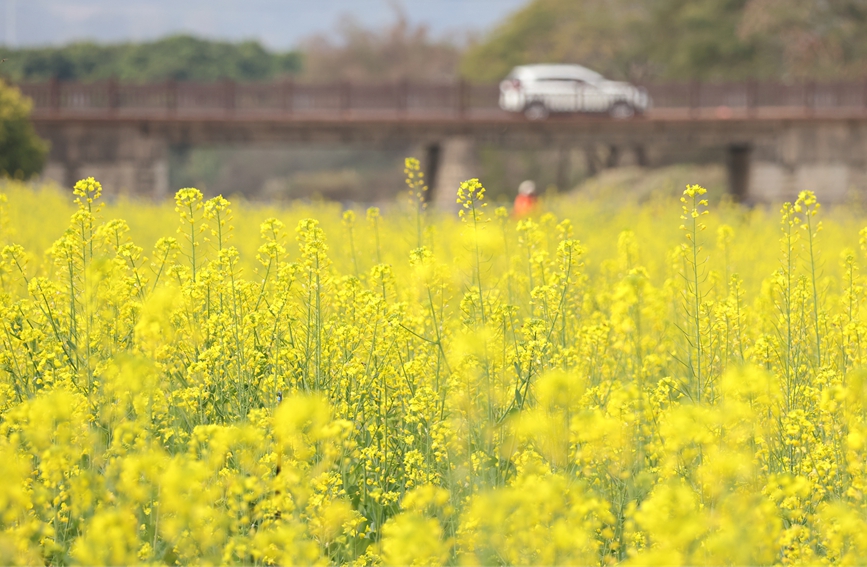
127,161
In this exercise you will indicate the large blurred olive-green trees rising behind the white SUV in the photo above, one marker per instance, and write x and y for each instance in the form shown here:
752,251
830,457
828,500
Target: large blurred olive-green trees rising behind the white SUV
681,39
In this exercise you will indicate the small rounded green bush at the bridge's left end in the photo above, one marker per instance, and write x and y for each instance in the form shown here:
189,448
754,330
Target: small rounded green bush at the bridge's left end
22,152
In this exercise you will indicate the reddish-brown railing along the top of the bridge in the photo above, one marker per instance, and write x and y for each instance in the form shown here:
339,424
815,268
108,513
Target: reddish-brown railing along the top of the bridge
458,100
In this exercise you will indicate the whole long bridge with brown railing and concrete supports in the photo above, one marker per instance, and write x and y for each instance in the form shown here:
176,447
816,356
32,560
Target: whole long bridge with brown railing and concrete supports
776,139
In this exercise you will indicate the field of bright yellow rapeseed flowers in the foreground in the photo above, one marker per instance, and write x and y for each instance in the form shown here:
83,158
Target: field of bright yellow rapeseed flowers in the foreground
601,383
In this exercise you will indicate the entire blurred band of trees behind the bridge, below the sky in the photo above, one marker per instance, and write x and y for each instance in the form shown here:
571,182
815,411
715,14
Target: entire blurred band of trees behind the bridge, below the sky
637,40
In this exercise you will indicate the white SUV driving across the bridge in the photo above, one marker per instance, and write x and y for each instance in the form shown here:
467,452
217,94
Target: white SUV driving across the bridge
538,90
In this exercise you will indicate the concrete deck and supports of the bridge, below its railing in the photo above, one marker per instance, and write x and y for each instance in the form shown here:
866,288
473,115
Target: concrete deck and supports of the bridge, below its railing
769,160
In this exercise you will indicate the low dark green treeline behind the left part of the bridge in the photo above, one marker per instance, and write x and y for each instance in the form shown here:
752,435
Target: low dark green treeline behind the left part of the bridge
181,57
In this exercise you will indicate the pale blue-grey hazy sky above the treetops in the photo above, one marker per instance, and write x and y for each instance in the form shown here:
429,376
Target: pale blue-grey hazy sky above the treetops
278,24
